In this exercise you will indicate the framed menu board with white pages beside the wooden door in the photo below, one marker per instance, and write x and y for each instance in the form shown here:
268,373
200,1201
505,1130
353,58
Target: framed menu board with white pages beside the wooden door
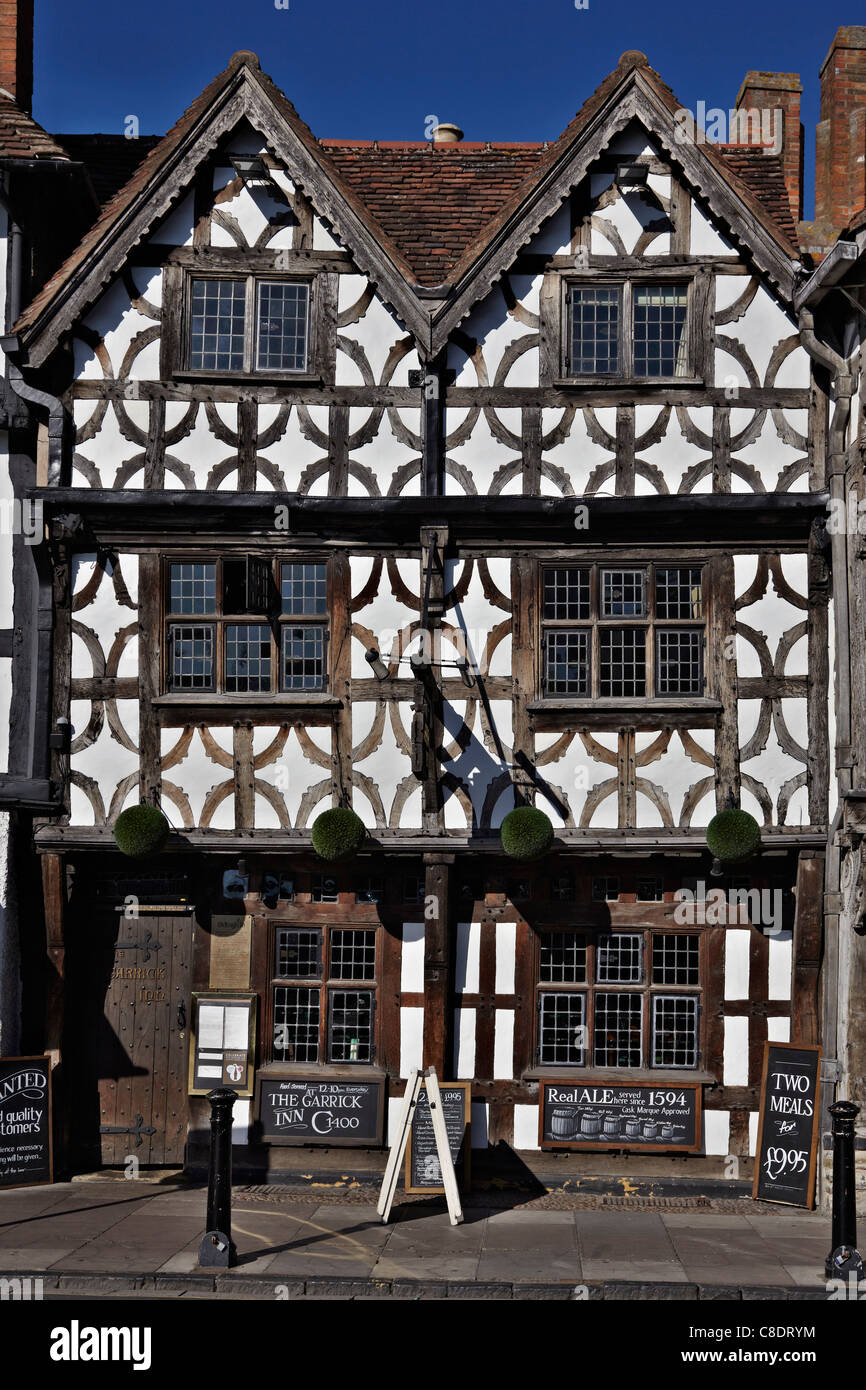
223,1045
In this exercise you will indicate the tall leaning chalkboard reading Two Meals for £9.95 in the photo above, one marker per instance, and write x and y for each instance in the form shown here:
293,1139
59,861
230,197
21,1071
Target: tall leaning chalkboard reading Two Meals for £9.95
787,1132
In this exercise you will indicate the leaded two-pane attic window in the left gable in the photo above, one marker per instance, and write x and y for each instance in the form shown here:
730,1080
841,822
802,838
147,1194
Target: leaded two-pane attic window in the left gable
250,325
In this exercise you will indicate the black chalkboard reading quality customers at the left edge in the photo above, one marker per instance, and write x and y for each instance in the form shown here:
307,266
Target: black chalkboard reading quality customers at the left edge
26,1121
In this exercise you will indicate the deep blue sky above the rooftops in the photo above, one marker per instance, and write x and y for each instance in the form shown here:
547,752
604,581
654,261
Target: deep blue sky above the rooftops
504,72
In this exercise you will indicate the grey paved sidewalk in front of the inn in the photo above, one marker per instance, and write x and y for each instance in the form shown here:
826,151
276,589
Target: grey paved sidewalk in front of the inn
130,1238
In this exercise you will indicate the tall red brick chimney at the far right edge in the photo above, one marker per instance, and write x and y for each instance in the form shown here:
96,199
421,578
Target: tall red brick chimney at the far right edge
840,186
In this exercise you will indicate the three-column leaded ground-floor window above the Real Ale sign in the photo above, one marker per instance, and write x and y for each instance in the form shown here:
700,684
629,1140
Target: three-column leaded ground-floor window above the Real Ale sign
622,1000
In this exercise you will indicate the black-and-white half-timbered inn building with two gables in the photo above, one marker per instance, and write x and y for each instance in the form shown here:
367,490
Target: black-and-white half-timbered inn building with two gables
434,480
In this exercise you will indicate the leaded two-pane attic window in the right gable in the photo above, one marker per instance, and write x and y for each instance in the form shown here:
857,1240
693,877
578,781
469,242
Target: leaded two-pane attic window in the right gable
628,330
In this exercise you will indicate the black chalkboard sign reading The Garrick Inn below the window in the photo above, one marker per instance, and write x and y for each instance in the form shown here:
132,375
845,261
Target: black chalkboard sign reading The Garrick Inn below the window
333,1111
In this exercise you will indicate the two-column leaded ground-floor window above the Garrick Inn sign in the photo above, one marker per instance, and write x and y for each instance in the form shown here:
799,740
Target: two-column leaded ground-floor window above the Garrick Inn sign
325,995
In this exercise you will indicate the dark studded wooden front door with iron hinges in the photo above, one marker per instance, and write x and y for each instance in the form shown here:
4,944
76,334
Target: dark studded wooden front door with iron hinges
129,1038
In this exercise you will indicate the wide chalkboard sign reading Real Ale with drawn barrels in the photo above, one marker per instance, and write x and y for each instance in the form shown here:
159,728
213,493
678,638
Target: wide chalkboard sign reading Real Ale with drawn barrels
593,1115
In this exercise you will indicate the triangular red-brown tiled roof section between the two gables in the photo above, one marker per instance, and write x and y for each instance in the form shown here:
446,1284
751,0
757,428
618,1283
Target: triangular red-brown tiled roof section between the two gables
433,201
